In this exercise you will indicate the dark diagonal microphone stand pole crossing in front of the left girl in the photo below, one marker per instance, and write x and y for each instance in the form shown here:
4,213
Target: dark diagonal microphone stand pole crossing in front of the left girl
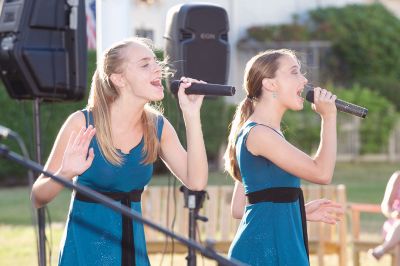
94,195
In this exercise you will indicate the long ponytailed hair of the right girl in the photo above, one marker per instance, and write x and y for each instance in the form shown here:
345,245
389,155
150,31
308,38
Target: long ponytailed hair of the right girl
263,65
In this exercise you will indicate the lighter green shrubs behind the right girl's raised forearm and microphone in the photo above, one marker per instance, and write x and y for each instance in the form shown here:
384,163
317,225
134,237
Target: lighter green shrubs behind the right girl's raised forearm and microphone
303,128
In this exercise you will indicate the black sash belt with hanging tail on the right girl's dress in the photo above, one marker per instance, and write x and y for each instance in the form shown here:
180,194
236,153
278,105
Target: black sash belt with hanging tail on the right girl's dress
283,195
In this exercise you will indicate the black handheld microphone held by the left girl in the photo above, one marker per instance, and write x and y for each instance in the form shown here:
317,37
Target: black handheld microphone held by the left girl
204,89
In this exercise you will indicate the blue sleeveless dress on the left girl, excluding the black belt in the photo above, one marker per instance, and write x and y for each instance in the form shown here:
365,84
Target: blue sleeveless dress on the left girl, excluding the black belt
93,232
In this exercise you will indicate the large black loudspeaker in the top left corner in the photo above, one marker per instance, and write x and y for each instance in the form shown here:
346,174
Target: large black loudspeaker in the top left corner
43,49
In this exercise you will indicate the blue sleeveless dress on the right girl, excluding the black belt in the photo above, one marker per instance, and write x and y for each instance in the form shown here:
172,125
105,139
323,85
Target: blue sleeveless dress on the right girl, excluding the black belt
270,234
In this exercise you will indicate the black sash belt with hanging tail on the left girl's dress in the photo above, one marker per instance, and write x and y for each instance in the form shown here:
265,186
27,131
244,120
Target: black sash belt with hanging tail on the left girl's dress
127,241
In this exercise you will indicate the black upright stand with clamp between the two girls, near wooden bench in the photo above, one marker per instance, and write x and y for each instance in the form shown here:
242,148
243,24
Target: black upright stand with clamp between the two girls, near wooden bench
193,201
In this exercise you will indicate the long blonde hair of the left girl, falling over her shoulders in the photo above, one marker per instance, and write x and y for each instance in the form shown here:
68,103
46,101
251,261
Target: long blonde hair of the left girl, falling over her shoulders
104,93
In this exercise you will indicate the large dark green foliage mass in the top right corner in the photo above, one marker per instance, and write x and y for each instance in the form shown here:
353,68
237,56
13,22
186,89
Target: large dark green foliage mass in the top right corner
364,41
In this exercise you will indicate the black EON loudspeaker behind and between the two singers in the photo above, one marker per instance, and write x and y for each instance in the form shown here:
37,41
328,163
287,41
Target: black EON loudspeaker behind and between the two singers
197,42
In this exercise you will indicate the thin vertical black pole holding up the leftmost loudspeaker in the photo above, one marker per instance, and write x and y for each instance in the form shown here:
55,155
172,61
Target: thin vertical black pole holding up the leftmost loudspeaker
41,221
